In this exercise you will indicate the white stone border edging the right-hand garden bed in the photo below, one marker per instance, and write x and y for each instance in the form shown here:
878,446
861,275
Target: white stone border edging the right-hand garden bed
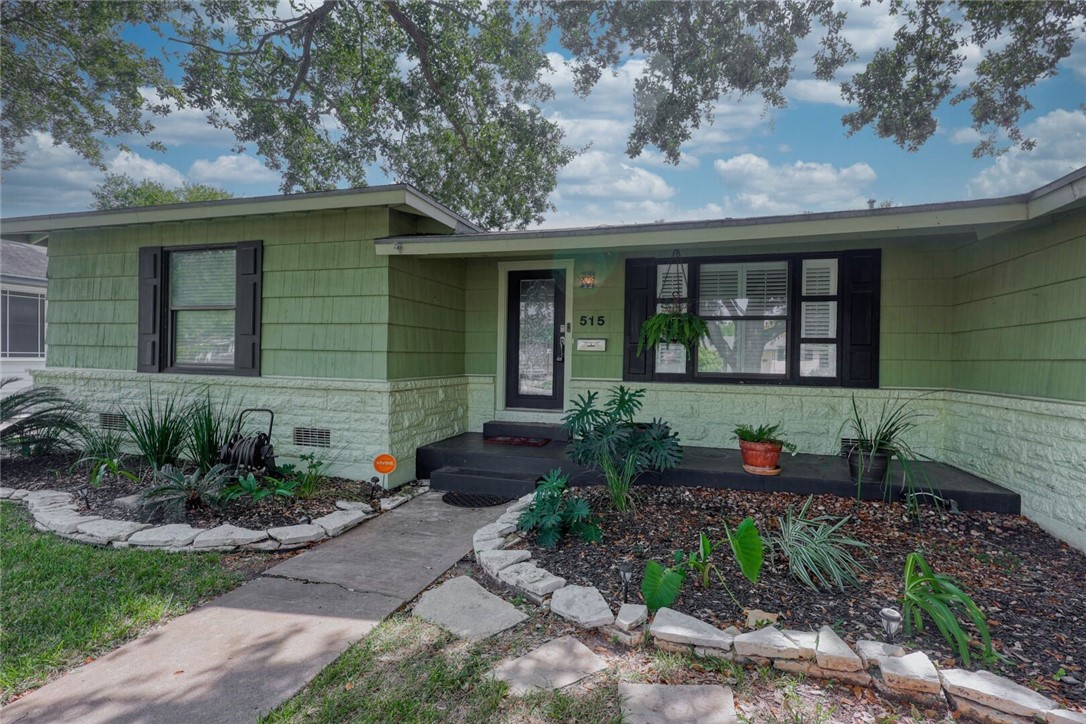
980,695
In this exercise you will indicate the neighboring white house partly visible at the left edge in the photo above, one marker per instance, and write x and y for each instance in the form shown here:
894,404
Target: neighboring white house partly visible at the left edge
22,312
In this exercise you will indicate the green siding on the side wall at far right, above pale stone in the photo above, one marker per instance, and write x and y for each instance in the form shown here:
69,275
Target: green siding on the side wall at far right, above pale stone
1020,312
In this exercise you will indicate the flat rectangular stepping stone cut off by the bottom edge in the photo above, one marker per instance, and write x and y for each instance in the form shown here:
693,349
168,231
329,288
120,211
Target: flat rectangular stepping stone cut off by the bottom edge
663,704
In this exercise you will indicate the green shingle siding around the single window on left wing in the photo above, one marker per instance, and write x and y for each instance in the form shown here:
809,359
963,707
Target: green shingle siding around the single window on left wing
326,293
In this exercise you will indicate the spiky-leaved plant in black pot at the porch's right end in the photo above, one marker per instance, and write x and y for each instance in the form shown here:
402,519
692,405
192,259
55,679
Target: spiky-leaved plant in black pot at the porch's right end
875,443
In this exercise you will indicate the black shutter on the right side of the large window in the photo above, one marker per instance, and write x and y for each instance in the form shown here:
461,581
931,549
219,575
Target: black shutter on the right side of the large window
862,274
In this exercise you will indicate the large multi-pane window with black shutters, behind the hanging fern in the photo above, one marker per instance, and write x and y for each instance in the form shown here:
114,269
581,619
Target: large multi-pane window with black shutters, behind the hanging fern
773,320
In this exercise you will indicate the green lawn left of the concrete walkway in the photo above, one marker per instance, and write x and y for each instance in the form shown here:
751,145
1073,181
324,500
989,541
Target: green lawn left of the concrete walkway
64,603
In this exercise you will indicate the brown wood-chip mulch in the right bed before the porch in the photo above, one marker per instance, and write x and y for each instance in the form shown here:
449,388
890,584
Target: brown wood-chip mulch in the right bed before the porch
1031,586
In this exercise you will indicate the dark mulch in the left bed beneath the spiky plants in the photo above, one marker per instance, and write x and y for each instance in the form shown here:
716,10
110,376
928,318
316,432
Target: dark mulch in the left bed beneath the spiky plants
56,473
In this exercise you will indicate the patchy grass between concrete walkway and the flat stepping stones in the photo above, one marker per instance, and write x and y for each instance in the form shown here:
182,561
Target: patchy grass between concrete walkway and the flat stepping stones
409,670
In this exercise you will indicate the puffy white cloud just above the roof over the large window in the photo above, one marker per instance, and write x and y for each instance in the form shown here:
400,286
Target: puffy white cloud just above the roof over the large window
761,188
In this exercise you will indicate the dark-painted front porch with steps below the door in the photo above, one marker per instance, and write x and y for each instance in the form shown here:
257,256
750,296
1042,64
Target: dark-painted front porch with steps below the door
471,464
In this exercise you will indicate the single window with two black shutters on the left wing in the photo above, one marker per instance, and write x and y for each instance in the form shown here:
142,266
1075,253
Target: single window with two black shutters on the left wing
200,310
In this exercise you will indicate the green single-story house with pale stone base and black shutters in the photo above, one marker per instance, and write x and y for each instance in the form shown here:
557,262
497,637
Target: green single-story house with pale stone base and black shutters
375,322
